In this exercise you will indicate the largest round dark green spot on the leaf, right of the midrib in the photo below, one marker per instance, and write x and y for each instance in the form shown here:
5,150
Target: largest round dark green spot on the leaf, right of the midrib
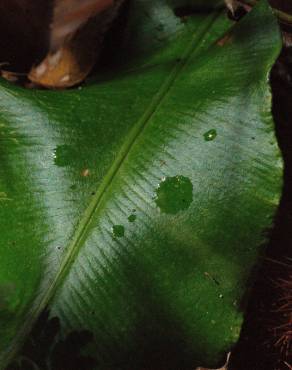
174,194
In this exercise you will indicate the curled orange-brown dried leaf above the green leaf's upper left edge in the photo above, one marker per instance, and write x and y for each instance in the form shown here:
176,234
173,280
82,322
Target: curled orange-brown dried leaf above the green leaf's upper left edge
76,35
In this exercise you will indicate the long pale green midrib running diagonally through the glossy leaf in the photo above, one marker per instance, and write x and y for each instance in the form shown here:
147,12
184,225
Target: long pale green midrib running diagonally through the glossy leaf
81,232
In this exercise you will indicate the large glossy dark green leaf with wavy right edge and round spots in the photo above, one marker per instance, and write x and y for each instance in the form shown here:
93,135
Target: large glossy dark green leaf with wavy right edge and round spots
136,206
